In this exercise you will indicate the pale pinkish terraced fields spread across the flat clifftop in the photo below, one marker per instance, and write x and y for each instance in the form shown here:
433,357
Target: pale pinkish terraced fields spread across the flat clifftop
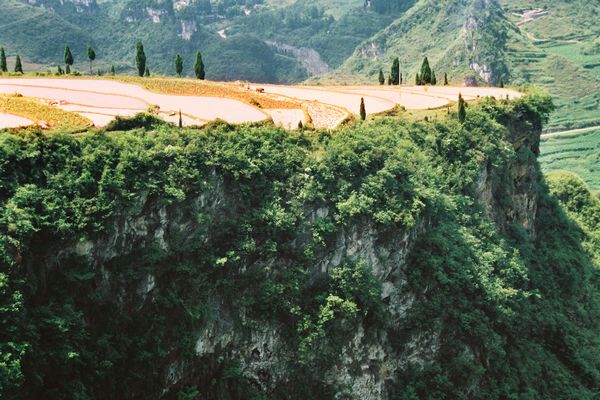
101,100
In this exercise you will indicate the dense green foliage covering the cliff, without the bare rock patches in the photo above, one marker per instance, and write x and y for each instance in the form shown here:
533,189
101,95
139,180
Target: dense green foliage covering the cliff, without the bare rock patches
510,315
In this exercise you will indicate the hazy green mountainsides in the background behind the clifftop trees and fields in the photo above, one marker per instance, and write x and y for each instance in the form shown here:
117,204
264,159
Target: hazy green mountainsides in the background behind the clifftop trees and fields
473,41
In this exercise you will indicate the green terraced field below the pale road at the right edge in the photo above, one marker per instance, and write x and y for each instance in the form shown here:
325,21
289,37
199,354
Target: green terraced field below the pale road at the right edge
578,153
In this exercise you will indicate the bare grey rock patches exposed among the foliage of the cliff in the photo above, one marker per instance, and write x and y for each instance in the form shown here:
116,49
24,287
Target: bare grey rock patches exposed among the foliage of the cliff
261,350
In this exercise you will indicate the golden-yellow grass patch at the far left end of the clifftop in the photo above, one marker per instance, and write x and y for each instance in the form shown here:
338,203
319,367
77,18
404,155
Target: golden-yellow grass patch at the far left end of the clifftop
37,111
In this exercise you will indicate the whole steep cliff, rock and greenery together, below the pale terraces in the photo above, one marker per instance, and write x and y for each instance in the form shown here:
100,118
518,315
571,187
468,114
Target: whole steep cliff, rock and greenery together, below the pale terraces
239,263
